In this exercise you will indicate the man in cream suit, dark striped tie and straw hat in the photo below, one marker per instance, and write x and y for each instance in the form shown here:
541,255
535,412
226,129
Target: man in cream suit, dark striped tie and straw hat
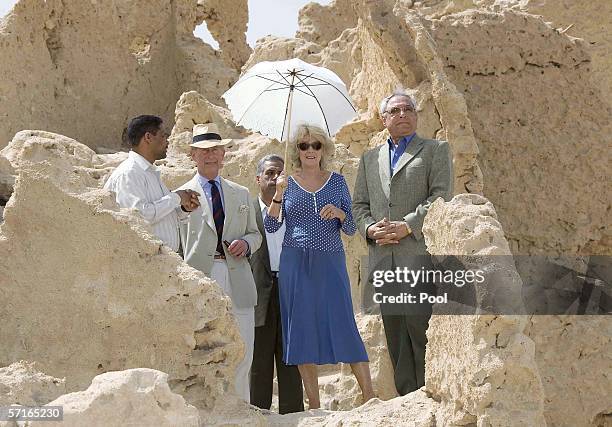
220,234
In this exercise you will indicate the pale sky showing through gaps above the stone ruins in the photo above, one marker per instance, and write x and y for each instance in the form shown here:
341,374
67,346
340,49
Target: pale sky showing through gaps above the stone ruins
277,17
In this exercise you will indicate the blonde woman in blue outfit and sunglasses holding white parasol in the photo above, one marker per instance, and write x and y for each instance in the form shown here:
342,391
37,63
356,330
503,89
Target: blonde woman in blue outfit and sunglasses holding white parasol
316,308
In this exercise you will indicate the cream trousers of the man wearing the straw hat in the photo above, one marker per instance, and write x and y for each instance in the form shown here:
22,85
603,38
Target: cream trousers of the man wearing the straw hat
245,317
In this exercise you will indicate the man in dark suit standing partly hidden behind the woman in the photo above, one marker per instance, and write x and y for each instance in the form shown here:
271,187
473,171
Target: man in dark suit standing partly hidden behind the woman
268,332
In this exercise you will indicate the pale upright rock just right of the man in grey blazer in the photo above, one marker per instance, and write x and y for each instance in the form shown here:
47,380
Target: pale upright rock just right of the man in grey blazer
480,368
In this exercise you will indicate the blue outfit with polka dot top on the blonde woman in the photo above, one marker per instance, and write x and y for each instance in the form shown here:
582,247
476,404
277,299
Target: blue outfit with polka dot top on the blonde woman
315,298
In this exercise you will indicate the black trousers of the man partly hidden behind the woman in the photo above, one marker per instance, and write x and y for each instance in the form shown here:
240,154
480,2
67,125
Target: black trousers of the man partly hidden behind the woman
268,349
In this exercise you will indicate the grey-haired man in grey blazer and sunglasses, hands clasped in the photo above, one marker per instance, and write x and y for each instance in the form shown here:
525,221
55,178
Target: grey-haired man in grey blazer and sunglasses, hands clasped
395,185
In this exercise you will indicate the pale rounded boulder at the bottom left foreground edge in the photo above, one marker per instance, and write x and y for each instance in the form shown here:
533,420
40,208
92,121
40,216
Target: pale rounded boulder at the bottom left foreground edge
135,397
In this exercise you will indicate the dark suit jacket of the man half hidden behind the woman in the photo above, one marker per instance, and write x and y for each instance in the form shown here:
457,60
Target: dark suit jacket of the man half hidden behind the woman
260,265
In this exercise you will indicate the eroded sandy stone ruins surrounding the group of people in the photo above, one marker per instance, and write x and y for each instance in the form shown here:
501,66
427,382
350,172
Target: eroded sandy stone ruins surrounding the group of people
519,88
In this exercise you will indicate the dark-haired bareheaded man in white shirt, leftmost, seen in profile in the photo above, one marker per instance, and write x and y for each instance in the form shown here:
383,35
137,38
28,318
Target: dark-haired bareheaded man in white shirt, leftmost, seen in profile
137,184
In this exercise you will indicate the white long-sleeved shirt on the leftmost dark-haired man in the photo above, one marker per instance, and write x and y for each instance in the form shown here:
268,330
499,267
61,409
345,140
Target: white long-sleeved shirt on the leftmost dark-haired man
137,184
